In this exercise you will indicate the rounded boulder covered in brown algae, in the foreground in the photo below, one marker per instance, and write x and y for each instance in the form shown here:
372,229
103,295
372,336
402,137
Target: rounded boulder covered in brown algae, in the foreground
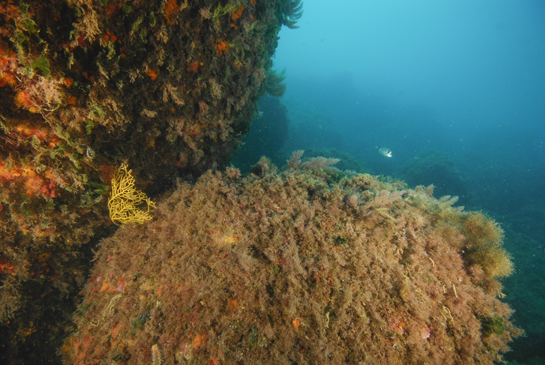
307,266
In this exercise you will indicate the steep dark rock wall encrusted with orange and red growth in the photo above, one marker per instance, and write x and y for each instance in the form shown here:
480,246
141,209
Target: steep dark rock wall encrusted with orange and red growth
167,86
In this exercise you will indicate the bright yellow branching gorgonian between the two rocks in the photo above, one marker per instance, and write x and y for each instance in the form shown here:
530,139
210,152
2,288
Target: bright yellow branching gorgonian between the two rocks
125,202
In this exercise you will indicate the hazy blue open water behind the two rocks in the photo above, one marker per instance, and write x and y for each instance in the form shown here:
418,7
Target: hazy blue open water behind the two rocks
459,81
